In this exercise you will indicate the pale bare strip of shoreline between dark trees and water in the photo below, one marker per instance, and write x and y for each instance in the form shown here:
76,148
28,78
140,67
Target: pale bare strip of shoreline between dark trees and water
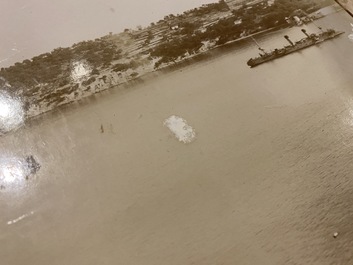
109,79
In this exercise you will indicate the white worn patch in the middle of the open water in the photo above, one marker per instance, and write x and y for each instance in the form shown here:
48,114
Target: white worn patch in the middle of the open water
181,130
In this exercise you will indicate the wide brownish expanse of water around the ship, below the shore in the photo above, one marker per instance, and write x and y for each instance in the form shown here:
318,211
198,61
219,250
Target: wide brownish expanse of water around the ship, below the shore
267,178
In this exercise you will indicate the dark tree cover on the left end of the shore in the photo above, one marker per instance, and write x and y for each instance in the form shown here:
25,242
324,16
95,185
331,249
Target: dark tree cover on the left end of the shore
55,67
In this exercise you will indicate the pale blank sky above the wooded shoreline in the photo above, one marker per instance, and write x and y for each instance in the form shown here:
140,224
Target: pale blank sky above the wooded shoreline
32,27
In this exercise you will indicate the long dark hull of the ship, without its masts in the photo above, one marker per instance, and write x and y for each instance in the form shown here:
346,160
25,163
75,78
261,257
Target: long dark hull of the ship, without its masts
300,45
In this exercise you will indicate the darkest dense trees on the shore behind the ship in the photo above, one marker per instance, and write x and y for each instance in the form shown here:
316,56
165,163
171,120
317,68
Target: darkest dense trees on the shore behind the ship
245,21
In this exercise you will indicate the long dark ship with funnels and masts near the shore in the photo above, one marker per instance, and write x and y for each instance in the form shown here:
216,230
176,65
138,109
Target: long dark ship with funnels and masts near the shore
306,42
